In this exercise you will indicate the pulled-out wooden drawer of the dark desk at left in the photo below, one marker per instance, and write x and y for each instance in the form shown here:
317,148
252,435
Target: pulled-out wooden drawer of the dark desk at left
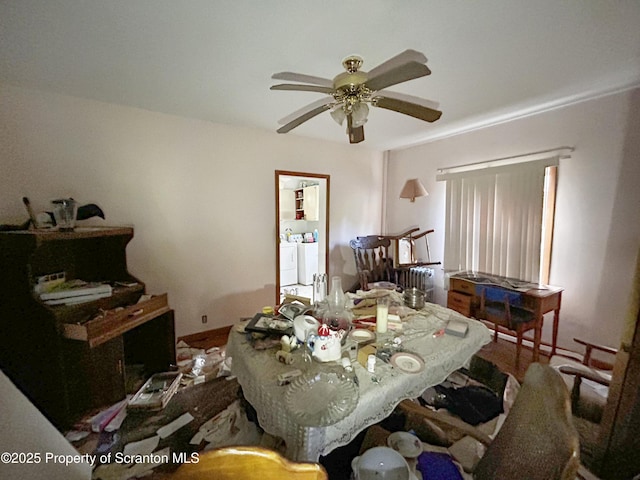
117,321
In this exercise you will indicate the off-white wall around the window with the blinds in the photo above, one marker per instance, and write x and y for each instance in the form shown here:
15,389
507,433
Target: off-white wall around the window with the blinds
597,225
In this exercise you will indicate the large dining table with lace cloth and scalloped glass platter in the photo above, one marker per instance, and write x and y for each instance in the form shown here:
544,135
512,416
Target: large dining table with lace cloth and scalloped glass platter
327,406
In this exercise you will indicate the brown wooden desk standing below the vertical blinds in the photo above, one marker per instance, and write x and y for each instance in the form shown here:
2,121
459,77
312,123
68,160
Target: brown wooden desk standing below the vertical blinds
465,290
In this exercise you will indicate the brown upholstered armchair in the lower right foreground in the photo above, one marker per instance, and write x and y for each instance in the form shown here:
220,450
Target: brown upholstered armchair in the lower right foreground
536,441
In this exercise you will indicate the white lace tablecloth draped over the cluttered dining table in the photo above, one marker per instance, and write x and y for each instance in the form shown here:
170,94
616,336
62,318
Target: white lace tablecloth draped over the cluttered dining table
257,372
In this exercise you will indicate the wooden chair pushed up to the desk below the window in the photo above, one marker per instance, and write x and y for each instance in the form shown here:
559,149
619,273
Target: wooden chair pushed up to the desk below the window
501,308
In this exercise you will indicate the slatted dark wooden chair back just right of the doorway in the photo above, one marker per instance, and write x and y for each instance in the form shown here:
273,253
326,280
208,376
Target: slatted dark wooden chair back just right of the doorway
373,262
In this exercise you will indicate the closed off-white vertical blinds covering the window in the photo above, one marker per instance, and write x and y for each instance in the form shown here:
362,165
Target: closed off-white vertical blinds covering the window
494,219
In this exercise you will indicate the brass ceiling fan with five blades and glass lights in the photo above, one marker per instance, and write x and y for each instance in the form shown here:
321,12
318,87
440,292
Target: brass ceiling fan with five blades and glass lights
351,93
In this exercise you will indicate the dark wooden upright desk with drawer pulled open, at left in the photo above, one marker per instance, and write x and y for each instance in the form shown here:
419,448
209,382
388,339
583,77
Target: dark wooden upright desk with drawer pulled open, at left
71,358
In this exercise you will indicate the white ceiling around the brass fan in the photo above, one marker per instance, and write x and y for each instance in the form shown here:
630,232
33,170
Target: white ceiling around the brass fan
213,59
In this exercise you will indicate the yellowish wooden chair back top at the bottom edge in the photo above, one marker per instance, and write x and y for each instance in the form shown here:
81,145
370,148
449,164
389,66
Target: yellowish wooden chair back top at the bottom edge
232,463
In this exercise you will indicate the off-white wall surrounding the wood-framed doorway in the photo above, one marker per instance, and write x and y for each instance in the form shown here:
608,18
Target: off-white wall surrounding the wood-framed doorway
200,196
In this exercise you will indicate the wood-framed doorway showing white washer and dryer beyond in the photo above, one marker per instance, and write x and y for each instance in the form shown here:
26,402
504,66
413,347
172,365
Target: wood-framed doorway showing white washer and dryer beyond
302,231
